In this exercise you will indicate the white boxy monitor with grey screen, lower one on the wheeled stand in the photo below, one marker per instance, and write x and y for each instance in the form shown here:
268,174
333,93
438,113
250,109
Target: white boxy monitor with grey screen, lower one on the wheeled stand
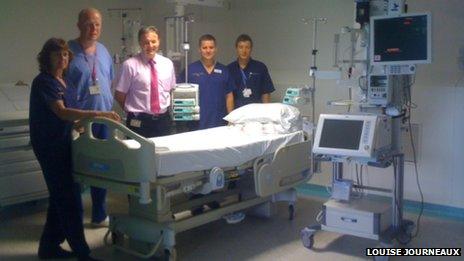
352,136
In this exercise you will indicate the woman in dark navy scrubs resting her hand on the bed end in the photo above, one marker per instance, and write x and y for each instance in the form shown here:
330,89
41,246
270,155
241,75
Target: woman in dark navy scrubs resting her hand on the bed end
50,124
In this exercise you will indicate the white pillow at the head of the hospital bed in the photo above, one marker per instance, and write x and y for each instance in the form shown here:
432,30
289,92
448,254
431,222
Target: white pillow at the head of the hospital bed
285,115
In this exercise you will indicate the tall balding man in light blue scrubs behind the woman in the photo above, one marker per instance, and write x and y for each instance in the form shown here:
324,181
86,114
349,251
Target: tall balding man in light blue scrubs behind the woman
90,74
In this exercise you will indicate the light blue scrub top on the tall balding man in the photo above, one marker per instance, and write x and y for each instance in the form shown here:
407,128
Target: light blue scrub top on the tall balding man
80,75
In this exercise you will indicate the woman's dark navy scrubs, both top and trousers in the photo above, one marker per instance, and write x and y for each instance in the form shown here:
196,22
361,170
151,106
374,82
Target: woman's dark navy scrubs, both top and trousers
51,141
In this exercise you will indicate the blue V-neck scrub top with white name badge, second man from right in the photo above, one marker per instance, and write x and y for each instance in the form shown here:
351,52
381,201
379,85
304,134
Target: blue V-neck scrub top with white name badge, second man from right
213,90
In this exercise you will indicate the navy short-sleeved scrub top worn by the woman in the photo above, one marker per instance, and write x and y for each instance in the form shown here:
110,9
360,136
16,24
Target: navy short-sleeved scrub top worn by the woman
47,131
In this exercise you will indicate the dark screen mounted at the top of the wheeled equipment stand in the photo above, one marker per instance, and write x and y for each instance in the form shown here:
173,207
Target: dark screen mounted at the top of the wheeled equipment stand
404,39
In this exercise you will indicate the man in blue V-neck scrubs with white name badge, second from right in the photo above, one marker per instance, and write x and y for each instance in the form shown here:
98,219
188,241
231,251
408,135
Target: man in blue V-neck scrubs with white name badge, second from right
215,83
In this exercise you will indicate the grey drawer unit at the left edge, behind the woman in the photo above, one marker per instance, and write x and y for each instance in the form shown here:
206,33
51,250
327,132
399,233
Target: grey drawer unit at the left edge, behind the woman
21,178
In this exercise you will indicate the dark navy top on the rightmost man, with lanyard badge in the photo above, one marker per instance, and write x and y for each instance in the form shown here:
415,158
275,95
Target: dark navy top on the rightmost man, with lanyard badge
257,78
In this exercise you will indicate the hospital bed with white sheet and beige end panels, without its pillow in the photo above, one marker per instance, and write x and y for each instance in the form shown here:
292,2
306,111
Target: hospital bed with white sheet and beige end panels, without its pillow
234,169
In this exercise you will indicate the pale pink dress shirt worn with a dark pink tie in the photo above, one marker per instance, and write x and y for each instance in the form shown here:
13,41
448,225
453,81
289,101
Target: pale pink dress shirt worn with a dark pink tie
134,80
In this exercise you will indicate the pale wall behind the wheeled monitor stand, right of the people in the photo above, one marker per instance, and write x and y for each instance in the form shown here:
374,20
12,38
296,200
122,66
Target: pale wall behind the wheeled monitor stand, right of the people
284,43
